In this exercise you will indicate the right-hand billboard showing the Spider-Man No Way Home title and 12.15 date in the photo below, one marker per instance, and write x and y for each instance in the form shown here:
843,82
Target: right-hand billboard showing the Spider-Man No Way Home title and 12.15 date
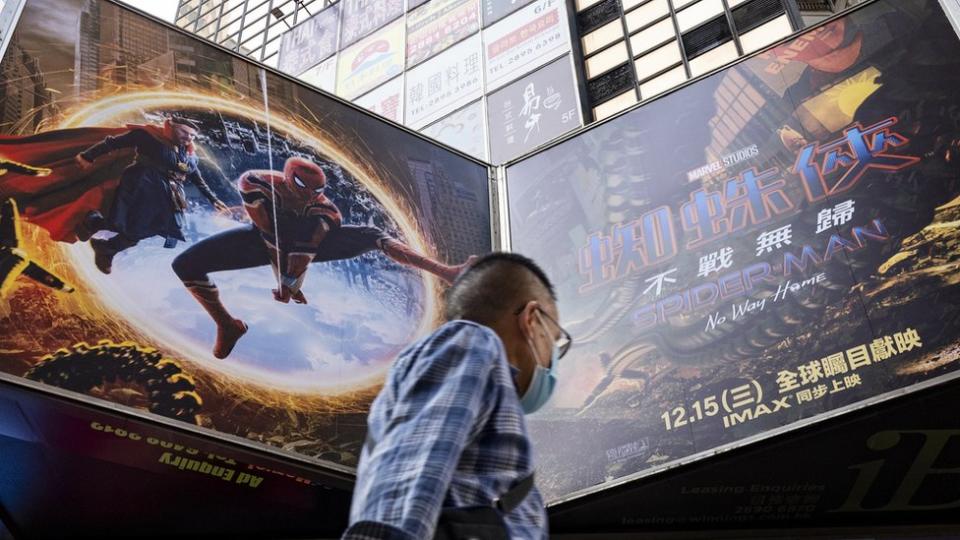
770,244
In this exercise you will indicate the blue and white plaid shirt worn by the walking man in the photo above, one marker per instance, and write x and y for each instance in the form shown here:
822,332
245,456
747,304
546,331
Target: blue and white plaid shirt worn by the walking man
449,432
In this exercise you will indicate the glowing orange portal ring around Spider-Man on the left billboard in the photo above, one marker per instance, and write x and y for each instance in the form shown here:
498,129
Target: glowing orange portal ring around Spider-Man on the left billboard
104,112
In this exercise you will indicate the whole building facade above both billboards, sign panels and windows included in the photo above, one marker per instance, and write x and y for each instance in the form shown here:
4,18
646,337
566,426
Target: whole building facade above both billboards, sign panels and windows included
497,78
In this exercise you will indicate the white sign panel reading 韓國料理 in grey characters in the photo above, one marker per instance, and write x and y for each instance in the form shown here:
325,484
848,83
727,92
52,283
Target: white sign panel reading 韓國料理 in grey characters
445,83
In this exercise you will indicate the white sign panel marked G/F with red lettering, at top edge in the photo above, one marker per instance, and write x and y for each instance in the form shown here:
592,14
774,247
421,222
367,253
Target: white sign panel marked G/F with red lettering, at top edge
525,40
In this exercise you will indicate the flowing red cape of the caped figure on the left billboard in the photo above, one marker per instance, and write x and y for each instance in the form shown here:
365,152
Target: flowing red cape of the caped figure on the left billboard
59,202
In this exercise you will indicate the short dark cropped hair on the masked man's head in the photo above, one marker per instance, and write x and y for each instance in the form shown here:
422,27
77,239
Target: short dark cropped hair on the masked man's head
495,285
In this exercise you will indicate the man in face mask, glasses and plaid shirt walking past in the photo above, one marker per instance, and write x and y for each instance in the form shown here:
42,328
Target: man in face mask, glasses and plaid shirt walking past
447,450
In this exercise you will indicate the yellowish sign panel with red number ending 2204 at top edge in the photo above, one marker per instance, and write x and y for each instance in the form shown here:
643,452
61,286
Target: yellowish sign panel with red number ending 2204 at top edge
438,25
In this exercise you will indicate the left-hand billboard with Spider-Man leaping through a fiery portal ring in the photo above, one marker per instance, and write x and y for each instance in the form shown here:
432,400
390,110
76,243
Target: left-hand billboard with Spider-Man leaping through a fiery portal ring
141,261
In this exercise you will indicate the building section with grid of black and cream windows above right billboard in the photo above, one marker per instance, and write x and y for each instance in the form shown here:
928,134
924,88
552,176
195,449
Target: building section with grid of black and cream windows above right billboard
636,49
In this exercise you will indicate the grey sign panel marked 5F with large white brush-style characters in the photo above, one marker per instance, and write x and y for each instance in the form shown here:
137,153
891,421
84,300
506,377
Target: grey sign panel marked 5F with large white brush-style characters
532,111
